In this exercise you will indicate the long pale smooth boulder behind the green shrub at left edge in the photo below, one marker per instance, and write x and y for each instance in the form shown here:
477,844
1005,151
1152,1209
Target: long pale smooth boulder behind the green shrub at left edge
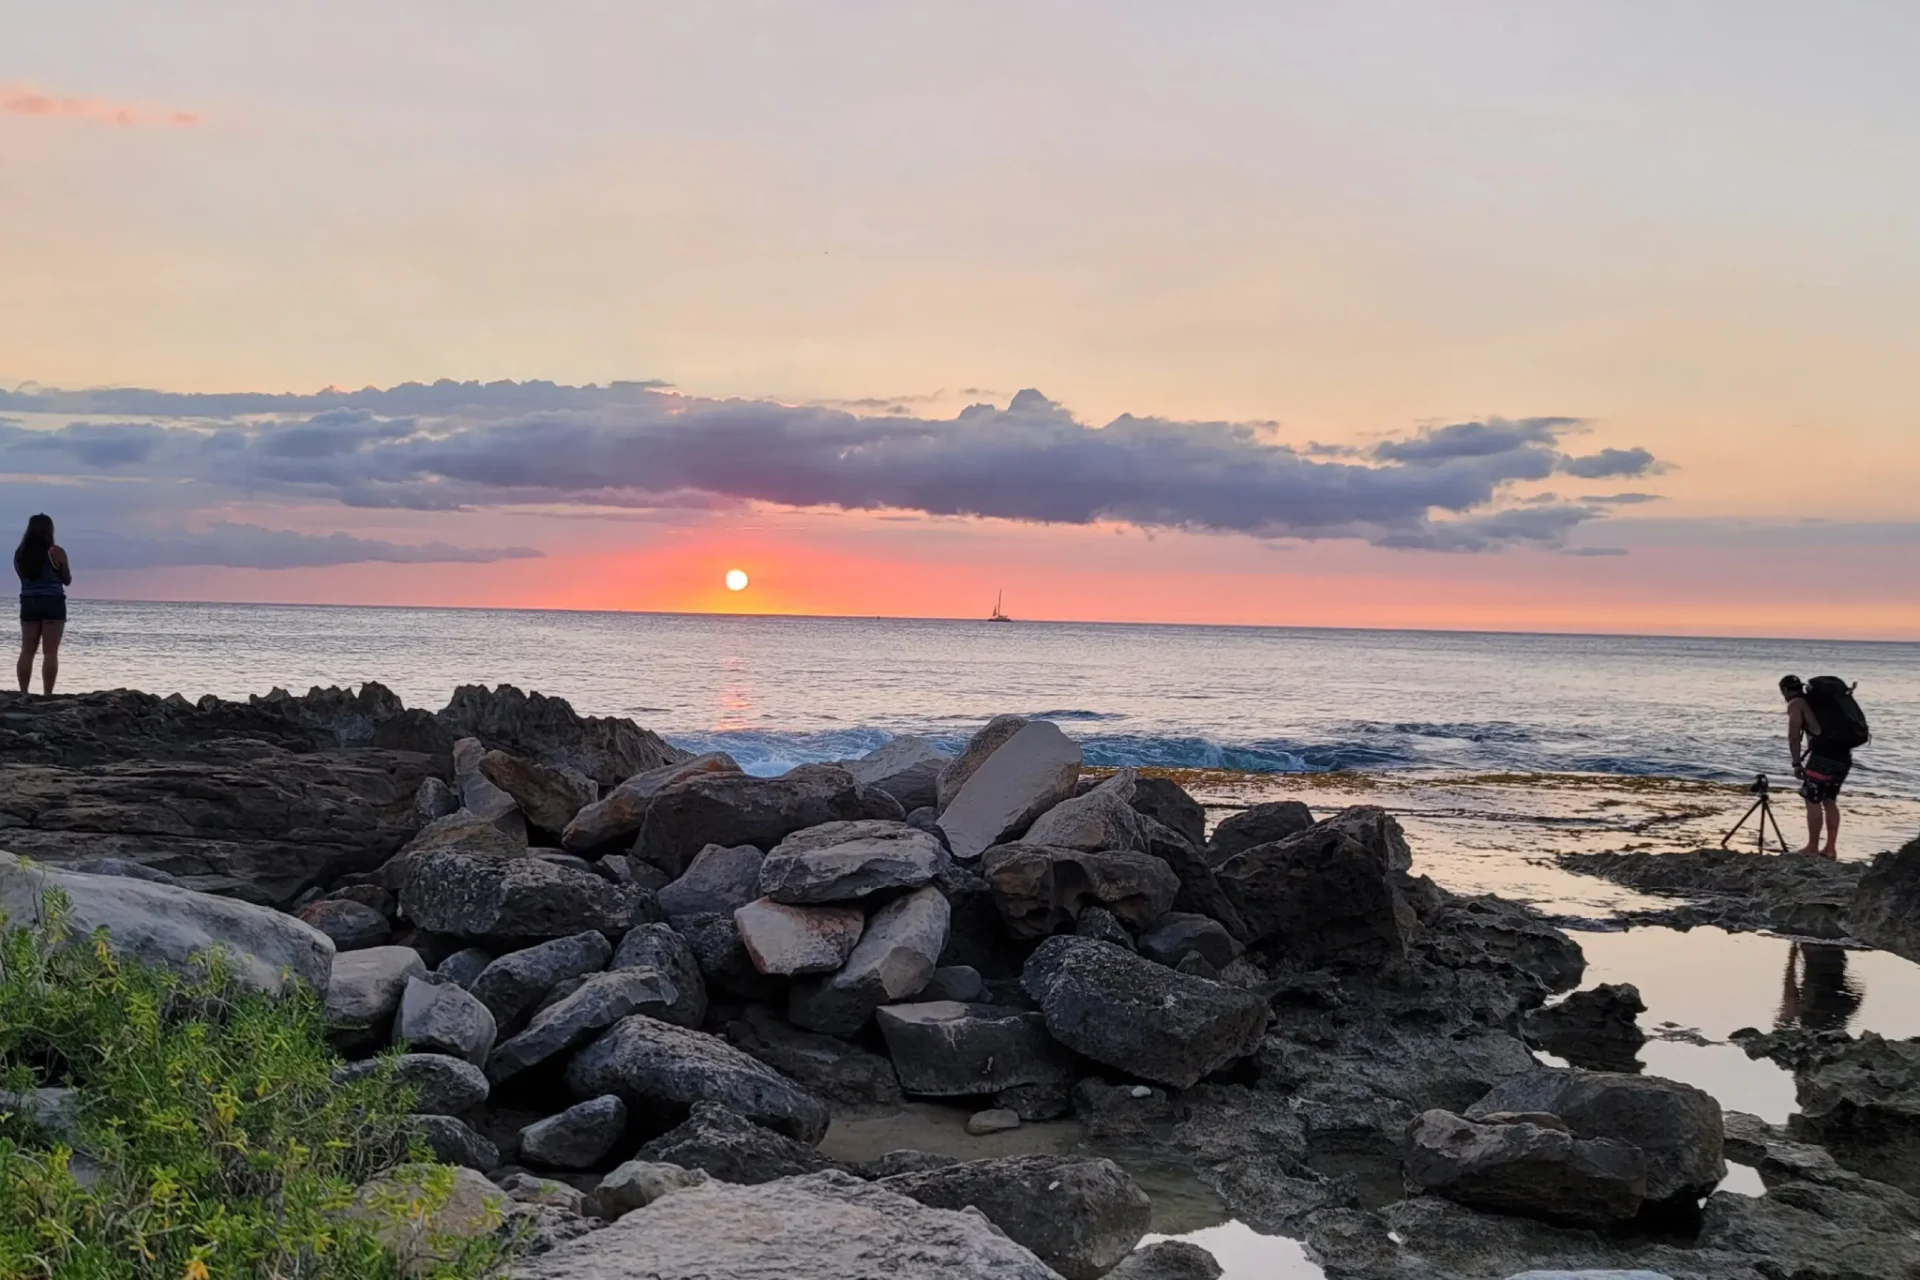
172,928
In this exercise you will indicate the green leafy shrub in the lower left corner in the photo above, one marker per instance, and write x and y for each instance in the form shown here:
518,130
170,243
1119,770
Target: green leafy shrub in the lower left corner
210,1141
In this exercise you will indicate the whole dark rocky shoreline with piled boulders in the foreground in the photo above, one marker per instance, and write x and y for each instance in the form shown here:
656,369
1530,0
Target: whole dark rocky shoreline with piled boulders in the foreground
636,987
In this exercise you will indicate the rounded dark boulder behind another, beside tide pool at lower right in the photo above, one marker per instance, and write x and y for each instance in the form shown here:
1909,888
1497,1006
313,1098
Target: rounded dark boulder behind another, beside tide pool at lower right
1675,1126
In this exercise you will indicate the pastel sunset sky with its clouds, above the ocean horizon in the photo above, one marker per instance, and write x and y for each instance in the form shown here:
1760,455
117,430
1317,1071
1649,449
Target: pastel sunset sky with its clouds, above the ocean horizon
1596,318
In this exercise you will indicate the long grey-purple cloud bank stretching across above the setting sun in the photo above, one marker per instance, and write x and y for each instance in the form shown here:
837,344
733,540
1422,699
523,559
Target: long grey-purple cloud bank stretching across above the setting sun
464,446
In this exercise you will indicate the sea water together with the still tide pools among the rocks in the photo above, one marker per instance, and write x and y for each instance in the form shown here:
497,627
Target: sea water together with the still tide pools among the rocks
1495,751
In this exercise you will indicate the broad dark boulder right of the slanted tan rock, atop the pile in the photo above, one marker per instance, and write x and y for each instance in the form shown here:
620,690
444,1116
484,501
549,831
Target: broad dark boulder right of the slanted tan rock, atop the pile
734,809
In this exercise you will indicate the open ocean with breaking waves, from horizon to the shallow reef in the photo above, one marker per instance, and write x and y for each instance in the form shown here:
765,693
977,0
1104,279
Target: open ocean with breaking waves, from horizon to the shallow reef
780,692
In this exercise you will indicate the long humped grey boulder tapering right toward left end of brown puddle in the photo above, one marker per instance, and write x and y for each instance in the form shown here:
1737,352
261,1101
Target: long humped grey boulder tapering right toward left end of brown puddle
663,1070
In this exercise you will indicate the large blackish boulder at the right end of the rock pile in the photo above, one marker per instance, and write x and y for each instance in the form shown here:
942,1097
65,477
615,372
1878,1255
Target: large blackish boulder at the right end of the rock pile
1318,897
